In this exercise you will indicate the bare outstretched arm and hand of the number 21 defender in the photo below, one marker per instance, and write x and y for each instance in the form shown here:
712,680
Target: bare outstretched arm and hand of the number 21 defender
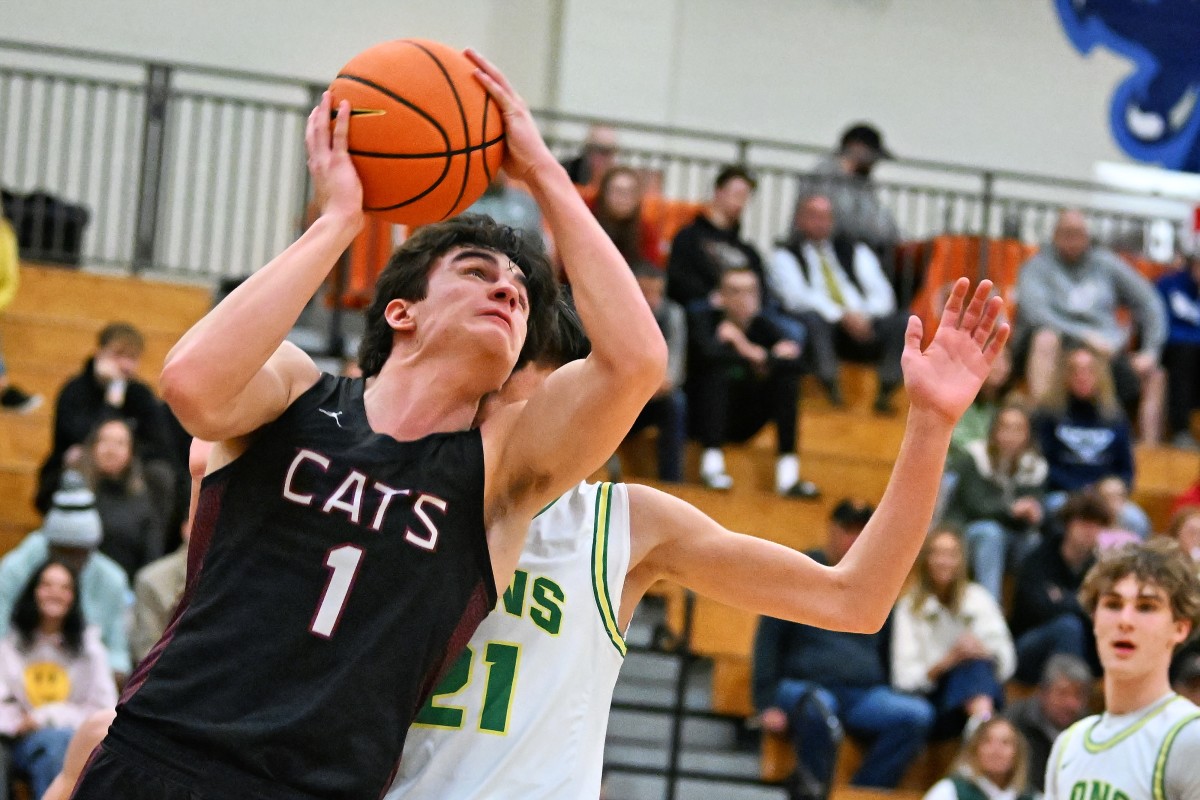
676,542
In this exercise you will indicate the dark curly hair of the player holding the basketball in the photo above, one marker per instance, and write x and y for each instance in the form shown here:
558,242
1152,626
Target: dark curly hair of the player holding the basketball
407,278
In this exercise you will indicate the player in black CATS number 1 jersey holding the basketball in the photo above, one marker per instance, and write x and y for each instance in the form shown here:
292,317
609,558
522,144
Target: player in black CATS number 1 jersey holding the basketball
352,533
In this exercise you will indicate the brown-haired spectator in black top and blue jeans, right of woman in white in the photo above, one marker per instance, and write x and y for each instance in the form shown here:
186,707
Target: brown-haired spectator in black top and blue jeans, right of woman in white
1047,616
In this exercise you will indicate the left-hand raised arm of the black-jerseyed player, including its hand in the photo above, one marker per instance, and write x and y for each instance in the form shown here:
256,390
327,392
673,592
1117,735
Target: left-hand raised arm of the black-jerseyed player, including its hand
233,372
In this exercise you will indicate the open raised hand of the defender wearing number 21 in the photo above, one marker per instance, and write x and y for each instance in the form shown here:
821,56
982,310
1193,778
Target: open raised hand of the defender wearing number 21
946,378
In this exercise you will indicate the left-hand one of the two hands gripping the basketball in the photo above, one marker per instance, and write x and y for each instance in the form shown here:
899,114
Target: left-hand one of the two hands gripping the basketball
335,183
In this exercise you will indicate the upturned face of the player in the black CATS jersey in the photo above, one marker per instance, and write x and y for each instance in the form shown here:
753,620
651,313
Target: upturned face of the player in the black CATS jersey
478,297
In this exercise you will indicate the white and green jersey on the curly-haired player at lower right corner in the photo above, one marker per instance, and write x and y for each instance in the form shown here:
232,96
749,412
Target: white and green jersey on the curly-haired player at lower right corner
1150,755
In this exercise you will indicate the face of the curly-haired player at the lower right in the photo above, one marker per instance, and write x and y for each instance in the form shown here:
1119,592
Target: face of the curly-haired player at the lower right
1136,630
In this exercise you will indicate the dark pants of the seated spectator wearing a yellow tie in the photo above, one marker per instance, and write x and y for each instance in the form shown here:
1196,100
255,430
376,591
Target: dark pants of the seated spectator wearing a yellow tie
827,342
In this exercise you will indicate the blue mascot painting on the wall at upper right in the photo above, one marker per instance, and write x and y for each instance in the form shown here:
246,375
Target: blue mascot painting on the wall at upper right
1156,111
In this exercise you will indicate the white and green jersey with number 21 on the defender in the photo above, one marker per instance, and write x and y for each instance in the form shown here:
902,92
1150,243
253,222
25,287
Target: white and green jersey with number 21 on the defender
524,712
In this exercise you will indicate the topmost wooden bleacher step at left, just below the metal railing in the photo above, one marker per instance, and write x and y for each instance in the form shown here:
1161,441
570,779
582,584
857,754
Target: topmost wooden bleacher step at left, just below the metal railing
153,305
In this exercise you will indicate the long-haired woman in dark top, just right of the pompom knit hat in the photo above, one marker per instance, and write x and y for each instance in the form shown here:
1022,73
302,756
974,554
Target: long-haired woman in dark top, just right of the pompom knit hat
134,533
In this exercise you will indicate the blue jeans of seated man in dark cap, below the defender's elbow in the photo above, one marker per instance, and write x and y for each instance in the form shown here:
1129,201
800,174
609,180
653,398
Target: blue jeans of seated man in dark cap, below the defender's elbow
896,725
